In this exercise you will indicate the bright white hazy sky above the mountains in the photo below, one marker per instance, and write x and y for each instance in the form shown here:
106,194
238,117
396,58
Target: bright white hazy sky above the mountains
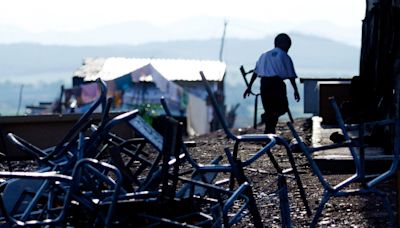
79,15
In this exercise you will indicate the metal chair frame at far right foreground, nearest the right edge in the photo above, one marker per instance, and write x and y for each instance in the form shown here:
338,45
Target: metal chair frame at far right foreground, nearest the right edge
367,185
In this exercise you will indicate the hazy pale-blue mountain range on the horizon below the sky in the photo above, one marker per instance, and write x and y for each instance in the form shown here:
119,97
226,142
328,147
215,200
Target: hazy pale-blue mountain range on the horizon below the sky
309,54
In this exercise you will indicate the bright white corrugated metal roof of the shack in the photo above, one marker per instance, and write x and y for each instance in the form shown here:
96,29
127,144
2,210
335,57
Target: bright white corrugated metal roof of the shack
171,69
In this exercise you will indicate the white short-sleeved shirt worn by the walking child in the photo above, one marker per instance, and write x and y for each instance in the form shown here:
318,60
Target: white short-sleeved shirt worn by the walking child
275,62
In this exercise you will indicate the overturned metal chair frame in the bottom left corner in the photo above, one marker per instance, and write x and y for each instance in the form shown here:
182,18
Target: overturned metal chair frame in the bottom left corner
88,186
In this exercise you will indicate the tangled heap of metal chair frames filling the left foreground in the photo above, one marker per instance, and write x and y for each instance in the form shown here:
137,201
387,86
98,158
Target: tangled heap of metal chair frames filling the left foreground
72,187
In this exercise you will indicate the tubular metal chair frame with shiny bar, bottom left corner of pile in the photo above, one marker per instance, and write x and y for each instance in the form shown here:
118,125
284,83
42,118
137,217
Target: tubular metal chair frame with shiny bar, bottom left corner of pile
64,189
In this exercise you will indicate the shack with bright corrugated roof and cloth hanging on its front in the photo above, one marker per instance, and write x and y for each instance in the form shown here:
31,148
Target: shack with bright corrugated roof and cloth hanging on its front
135,82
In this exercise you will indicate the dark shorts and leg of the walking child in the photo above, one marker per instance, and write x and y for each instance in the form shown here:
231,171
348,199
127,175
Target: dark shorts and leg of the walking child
274,100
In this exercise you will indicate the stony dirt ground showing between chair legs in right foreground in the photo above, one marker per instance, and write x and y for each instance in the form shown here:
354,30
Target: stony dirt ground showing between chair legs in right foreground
355,211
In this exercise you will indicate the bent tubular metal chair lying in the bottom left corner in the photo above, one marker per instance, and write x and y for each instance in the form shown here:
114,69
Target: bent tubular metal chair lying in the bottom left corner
89,176
